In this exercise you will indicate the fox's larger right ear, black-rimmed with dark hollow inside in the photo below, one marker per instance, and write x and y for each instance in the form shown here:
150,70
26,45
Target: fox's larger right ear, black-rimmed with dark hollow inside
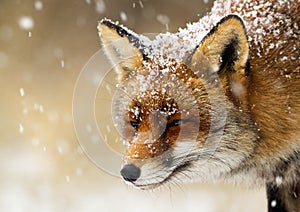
226,45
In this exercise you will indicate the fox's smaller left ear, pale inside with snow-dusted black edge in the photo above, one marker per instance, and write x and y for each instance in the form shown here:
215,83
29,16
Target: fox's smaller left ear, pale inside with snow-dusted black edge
122,47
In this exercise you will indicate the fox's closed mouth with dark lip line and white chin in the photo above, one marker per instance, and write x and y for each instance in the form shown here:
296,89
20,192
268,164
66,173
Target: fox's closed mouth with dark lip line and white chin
168,179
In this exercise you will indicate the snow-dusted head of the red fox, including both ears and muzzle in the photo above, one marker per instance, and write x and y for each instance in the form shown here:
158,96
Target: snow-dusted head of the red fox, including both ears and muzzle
183,118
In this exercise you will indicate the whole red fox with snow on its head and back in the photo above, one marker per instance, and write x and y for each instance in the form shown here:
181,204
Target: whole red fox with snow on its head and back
219,99
